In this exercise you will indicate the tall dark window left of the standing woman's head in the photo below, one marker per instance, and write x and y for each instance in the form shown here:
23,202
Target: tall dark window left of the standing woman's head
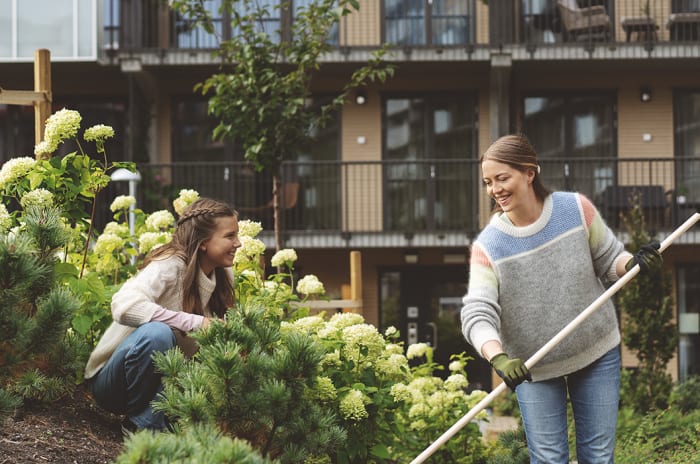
429,149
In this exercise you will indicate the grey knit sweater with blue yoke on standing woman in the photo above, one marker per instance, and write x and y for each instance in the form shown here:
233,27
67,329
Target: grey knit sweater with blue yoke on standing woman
527,283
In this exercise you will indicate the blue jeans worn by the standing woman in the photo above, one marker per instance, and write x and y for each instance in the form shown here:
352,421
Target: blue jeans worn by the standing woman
594,393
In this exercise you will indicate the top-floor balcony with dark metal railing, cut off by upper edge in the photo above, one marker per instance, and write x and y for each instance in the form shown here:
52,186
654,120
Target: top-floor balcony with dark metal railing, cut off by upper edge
151,26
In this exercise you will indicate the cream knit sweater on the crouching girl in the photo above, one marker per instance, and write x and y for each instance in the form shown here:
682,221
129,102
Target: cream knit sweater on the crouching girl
158,285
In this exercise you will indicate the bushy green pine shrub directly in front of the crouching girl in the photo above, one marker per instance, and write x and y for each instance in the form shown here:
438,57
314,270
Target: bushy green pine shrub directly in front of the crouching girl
252,380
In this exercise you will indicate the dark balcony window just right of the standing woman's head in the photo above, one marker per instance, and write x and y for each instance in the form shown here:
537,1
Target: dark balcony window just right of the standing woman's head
574,137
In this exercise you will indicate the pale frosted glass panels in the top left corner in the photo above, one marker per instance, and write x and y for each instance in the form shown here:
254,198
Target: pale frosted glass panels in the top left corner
67,27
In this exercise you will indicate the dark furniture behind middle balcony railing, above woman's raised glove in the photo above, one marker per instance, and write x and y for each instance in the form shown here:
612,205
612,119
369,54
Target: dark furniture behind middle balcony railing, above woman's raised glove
618,200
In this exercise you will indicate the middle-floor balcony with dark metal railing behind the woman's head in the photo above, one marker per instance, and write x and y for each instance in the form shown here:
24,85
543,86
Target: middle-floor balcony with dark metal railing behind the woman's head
436,203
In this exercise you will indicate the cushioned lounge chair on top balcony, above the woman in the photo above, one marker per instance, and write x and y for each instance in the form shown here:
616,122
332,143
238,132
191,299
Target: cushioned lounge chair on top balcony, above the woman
591,23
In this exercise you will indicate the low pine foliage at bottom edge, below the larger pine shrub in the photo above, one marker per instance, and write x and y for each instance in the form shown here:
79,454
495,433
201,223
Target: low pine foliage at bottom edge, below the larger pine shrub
200,443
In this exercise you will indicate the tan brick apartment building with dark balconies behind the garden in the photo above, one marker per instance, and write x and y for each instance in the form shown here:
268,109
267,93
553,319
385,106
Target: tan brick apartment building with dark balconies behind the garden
608,91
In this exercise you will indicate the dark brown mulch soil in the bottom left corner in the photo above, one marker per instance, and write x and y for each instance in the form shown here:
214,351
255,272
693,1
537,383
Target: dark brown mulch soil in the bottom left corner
72,430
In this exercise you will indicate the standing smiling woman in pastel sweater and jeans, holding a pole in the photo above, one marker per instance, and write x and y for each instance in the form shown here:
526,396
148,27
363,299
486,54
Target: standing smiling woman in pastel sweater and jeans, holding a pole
542,259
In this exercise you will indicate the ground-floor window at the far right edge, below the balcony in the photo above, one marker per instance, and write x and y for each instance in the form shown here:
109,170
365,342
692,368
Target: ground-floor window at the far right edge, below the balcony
688,316
